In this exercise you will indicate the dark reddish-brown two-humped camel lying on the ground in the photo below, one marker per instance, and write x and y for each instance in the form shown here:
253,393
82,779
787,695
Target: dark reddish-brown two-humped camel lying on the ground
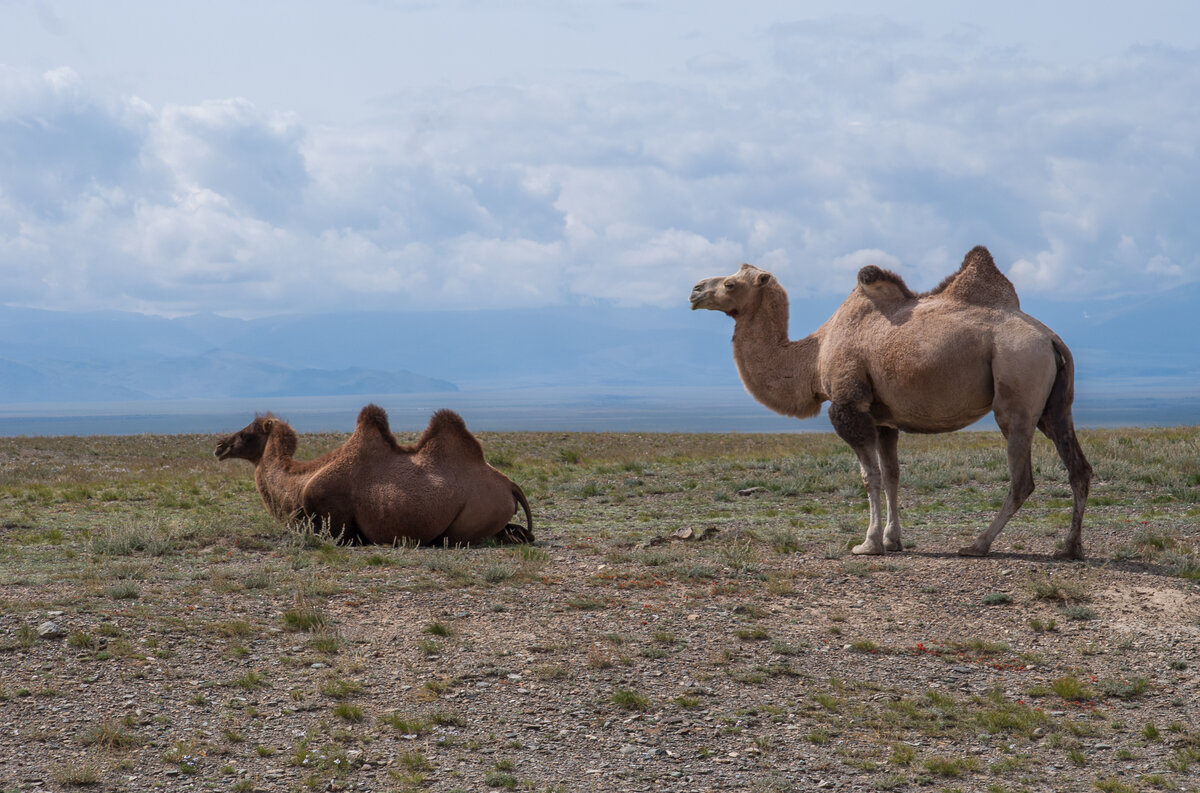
440,491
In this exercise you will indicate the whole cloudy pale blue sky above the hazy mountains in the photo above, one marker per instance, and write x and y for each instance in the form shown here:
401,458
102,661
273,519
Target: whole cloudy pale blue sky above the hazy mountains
265,158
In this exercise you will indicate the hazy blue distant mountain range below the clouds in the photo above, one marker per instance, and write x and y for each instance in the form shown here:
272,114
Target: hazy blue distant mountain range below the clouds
55,357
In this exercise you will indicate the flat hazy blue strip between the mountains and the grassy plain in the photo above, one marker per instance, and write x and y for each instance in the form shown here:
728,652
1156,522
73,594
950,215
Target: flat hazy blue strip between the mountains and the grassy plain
553,410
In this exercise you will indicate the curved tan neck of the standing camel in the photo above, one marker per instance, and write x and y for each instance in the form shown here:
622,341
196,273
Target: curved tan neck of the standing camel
779,374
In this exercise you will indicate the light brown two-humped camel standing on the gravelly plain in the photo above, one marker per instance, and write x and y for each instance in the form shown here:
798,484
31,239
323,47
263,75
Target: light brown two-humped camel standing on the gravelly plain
892,361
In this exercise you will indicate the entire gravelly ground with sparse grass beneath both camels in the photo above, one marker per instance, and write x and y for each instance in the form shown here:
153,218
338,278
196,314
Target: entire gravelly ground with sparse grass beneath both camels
202,647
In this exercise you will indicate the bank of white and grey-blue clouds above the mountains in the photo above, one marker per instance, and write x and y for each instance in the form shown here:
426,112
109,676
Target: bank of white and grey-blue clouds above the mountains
859,141
